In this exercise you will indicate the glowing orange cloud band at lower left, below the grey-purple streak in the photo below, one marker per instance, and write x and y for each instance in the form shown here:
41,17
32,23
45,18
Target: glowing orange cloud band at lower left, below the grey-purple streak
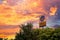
6,33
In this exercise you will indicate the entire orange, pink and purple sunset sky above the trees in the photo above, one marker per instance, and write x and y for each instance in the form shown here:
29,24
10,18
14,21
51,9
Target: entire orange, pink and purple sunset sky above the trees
17,12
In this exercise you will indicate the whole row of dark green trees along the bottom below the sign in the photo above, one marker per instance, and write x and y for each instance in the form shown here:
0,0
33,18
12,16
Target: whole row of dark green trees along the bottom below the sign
28,33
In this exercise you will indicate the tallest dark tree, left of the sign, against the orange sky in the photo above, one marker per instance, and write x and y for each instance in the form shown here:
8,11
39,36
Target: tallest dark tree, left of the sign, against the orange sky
25,33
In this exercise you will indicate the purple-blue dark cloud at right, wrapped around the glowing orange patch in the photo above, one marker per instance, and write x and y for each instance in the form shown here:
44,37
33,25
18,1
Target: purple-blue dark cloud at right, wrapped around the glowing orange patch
53,20
